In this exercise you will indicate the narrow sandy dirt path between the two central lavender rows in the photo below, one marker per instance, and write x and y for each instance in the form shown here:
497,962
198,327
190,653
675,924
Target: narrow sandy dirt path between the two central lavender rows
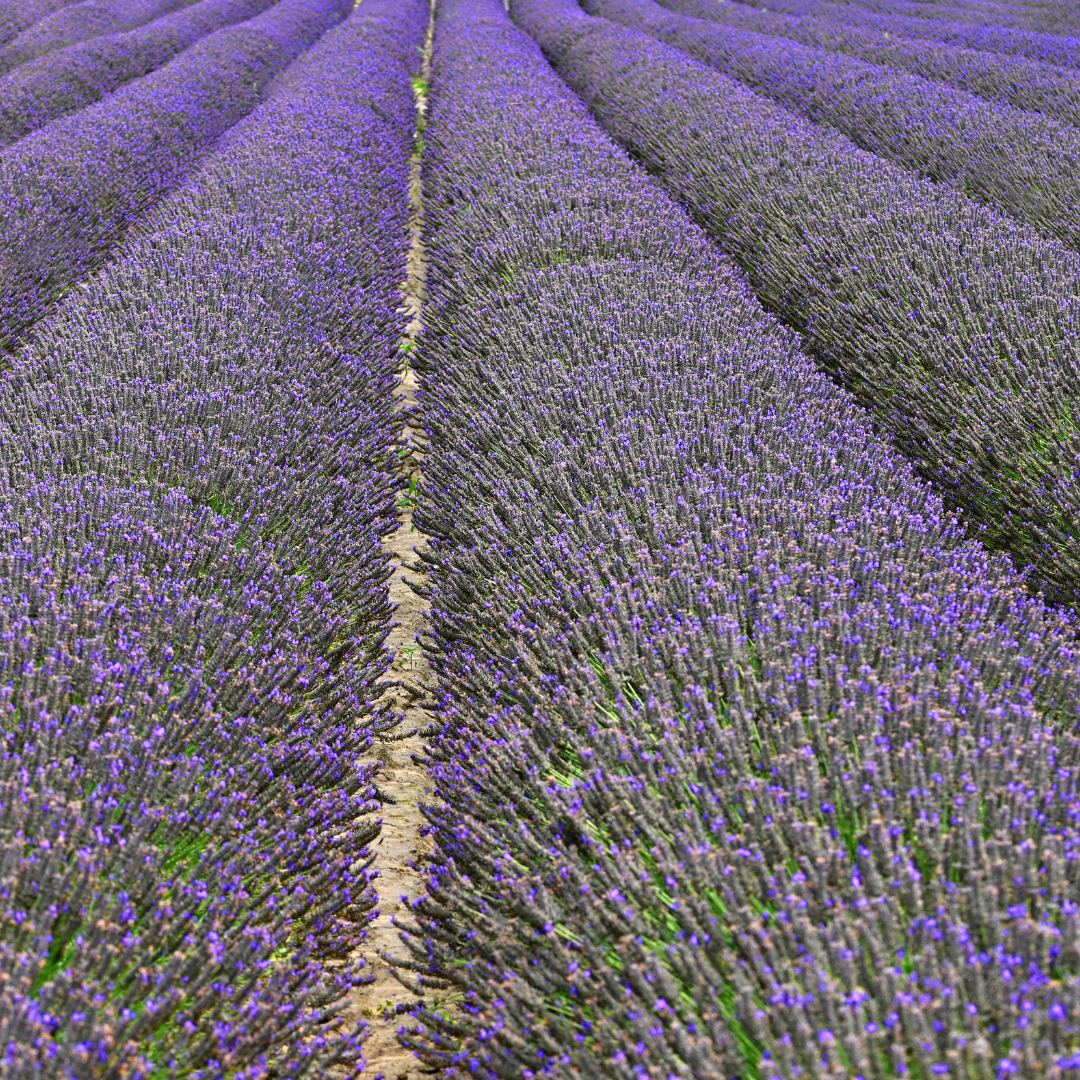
401,846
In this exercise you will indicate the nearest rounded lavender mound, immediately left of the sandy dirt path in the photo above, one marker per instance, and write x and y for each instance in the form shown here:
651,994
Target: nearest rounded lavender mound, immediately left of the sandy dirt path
179,862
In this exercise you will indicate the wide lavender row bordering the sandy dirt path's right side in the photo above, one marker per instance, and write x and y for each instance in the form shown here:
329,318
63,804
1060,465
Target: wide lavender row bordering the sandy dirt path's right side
746,761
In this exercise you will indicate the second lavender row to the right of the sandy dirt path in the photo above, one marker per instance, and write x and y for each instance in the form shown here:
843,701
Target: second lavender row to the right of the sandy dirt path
902,287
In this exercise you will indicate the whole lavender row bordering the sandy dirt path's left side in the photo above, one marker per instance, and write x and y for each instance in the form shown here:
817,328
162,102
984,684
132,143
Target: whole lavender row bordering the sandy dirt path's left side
197,470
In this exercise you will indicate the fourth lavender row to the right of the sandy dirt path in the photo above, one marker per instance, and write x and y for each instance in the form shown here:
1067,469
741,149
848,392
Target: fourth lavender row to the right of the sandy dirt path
1012,80
